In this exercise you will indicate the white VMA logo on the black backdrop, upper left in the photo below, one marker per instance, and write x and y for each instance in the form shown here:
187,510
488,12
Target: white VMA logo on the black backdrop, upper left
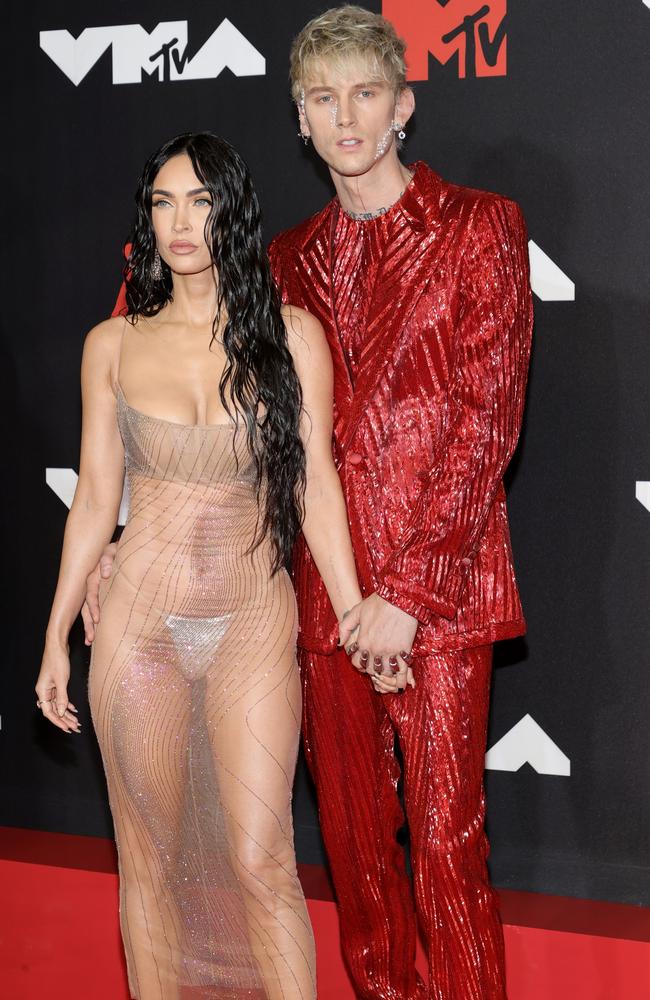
161,52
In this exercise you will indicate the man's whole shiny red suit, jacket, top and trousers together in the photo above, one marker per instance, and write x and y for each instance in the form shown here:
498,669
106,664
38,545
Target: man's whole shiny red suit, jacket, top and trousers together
428,315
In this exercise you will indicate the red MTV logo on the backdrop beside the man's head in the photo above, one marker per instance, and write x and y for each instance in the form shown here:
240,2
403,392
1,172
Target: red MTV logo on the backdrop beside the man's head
472,32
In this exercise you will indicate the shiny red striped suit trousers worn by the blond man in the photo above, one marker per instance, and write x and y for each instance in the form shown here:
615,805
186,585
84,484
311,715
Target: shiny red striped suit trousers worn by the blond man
441,725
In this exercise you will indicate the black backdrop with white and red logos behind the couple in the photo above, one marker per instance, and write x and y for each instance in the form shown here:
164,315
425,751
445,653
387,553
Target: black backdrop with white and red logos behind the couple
564,130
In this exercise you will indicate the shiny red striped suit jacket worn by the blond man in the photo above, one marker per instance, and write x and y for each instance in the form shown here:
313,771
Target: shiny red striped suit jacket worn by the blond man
424,437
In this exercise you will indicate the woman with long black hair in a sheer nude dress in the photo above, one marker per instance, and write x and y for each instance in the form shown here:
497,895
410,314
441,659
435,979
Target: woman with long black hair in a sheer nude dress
219,402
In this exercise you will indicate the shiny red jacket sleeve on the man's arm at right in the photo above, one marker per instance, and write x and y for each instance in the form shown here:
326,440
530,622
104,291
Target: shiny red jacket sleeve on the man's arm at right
426,573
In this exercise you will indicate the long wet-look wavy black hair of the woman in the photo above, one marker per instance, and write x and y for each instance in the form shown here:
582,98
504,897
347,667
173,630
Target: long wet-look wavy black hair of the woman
259,382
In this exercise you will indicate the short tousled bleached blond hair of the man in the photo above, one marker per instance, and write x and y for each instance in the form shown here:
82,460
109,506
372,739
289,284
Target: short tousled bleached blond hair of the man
345,33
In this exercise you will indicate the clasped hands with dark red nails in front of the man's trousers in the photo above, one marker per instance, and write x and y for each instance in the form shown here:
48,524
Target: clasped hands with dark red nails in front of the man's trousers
383,642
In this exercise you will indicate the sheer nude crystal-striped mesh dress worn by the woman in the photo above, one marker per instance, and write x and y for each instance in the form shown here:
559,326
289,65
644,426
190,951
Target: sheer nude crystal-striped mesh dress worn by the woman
195,697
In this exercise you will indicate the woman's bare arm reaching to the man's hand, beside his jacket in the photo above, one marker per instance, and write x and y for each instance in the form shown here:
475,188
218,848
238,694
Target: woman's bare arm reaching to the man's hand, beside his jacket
325,524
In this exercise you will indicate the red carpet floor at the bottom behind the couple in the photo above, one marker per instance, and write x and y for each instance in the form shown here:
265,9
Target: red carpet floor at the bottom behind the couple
59,935
